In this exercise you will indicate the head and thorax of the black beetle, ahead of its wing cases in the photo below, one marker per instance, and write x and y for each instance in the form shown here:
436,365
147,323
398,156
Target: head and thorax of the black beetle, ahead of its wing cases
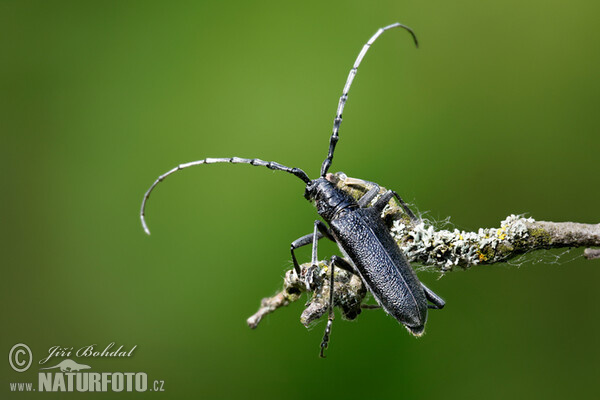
327,198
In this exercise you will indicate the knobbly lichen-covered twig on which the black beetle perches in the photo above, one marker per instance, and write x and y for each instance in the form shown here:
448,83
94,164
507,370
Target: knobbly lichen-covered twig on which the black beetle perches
424,244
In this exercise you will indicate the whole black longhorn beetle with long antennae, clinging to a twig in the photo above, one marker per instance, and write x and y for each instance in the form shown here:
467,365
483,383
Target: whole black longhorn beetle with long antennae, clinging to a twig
369,249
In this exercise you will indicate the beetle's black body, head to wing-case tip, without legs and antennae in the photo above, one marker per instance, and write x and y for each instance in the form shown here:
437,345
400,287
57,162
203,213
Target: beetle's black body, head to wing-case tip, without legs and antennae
367,243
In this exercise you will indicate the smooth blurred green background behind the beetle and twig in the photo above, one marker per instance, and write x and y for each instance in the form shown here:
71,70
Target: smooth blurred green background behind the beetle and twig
496,113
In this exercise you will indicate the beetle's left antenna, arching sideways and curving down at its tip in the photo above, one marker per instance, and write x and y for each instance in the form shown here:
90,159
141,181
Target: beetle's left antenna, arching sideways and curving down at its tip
233,160
